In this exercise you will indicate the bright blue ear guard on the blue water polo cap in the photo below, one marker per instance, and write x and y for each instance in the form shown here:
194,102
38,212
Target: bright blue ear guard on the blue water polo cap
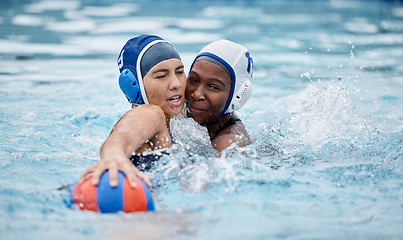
129,85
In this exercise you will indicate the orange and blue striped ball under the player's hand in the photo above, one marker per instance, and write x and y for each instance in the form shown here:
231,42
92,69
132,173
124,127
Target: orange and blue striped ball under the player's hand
106,199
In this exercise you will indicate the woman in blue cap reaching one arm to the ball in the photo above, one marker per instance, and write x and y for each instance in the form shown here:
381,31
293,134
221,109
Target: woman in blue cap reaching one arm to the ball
153,80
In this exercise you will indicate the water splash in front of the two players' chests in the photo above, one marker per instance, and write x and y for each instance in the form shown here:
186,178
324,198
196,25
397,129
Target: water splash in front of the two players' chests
193,165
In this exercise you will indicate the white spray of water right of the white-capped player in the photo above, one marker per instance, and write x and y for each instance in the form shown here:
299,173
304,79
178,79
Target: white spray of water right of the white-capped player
322,122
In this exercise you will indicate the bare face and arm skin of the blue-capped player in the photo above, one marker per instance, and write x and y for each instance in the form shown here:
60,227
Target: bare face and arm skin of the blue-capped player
143,127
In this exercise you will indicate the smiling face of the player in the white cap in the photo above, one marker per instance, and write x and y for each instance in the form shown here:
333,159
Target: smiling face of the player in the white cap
207,91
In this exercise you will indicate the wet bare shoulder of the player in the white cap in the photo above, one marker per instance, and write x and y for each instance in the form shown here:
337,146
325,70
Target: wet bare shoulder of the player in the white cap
233,134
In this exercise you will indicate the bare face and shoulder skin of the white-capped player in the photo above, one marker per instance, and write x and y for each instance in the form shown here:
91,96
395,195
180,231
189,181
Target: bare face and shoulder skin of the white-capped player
207,92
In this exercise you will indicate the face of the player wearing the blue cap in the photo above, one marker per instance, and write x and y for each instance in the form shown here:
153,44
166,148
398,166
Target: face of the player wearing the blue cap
165,86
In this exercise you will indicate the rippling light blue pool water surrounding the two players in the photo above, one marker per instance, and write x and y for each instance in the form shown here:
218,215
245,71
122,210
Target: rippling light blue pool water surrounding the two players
326,114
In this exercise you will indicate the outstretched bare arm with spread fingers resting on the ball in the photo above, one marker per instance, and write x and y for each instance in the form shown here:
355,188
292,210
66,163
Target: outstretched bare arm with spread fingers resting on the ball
139,125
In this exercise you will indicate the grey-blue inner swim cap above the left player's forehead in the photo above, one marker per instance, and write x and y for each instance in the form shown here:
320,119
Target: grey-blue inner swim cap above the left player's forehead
155,54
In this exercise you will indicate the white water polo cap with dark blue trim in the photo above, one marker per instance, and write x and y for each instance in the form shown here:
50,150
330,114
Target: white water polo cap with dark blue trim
237,62
